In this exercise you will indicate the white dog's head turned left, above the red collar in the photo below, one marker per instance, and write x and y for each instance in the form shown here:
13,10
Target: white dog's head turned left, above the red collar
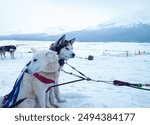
43,61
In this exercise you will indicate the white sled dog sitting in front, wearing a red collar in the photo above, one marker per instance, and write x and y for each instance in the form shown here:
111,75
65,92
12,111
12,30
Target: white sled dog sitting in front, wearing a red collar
35,83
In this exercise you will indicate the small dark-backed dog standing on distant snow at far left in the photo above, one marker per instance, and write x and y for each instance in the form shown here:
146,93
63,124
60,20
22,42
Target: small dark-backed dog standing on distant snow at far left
9,48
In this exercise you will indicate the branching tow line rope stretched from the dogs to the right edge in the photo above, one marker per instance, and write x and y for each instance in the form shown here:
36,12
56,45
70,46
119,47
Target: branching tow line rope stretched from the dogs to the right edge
114,82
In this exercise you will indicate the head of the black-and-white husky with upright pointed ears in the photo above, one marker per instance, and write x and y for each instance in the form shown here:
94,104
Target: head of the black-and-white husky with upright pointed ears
63,48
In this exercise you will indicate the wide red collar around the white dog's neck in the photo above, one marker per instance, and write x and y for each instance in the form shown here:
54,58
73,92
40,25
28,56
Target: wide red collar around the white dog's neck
43,79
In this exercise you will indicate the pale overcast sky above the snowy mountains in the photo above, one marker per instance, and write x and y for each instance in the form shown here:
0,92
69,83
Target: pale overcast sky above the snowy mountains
29,16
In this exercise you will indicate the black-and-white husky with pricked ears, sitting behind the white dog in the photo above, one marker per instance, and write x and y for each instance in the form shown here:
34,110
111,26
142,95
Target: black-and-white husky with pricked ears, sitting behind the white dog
64,50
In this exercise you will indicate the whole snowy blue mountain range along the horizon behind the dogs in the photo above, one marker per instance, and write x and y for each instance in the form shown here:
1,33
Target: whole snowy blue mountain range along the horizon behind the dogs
107,32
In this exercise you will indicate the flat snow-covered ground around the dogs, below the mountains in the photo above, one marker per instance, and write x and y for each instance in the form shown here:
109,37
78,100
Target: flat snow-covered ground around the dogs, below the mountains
107,65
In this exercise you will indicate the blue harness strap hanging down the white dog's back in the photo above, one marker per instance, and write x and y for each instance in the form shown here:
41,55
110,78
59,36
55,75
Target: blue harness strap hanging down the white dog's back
11,98
